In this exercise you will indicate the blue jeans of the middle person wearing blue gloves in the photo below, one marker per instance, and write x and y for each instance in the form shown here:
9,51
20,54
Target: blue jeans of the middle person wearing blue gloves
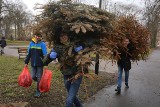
72,89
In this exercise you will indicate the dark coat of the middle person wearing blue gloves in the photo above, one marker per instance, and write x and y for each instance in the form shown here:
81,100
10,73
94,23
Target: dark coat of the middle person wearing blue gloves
68,65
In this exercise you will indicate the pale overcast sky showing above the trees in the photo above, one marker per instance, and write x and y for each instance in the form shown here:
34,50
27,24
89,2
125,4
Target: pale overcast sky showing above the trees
30,3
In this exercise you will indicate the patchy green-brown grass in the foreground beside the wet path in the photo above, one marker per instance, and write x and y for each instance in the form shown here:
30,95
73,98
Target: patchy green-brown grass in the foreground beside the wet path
10,92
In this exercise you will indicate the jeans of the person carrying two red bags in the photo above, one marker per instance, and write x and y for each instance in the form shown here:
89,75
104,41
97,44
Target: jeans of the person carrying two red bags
36,74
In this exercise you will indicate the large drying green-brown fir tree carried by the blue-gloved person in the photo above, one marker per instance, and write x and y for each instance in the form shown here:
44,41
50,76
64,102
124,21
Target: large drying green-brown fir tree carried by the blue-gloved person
84,24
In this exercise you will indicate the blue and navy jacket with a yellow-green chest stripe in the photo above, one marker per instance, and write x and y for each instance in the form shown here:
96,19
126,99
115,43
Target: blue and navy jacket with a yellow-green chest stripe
36,52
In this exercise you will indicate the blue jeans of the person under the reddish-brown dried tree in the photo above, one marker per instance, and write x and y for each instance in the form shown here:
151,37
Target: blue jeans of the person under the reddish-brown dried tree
120,72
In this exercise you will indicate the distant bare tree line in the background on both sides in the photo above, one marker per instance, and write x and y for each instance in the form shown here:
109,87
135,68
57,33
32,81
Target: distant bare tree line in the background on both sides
16,21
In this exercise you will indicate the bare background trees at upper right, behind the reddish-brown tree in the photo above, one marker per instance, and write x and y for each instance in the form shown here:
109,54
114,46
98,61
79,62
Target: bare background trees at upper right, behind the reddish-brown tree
149,15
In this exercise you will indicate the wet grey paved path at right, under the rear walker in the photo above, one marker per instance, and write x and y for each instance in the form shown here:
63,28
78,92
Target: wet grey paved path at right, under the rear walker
144,88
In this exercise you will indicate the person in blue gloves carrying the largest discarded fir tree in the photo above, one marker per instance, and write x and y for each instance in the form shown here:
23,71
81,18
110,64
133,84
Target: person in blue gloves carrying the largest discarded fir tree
68,67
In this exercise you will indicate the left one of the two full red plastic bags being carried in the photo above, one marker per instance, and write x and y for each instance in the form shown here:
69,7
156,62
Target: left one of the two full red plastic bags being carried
24,78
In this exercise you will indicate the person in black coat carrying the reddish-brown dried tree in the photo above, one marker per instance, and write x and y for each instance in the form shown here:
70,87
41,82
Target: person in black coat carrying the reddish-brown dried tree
124,63
